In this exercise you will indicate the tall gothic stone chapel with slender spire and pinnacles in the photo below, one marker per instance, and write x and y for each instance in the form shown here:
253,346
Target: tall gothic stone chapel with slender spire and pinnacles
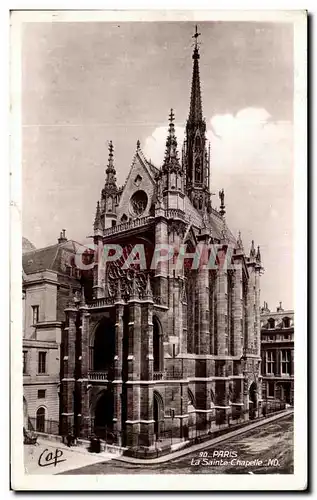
149,354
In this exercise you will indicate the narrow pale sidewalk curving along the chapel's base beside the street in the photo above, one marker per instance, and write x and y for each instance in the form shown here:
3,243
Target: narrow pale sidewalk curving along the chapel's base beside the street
205,444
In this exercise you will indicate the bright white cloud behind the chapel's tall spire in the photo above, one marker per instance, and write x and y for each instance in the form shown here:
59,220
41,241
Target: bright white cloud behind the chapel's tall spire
249,141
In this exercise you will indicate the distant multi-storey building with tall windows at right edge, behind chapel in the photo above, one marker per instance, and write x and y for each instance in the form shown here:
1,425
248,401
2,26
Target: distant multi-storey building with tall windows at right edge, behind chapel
277,348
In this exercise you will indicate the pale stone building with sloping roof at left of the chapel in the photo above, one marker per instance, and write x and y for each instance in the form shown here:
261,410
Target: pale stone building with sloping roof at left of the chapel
48,273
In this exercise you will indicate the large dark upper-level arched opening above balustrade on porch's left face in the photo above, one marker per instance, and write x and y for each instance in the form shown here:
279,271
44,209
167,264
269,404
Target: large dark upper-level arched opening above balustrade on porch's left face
104,346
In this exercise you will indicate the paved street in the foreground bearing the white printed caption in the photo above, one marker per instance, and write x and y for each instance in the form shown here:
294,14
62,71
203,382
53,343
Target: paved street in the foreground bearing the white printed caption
249,452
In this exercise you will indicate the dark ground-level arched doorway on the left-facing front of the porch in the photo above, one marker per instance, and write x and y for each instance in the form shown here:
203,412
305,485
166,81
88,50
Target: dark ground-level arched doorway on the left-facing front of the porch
103,418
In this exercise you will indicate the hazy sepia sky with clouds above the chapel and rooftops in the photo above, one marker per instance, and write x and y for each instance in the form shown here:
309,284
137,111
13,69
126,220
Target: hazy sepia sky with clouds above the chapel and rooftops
84,84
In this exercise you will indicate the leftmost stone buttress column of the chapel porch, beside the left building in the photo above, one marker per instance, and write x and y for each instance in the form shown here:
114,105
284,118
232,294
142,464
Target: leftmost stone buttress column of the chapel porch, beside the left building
68,380
